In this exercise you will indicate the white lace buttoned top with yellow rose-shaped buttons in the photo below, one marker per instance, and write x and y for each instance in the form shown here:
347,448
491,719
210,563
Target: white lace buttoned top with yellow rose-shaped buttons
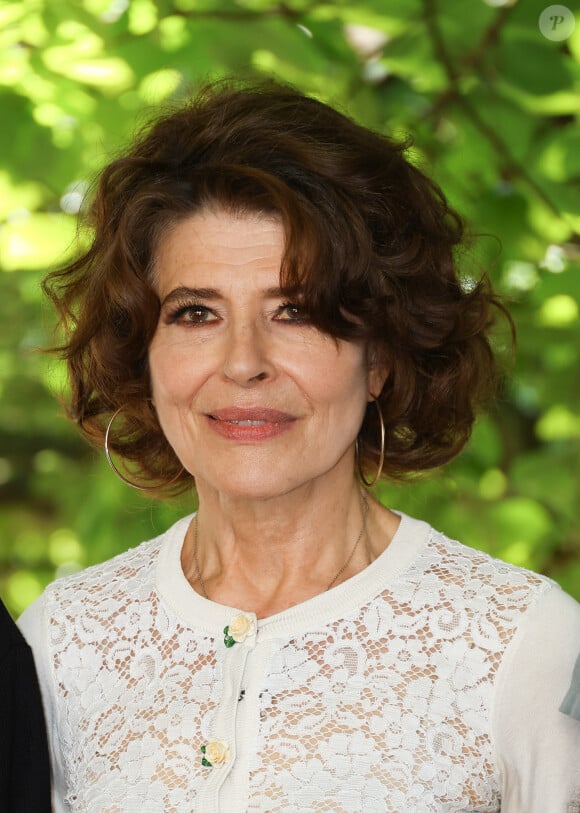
429,682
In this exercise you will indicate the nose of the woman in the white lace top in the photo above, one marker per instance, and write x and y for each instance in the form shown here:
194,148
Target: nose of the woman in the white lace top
248,358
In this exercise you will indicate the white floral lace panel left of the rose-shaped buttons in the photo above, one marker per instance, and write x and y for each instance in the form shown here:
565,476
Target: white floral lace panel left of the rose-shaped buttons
133,708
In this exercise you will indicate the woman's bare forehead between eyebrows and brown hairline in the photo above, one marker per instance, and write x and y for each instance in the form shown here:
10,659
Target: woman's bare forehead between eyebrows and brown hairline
217,243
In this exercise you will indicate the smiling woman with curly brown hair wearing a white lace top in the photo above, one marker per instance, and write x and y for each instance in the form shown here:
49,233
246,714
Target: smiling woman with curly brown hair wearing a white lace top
271,310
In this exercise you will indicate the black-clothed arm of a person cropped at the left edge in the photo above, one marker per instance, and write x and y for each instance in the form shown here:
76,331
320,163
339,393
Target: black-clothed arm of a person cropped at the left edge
24,765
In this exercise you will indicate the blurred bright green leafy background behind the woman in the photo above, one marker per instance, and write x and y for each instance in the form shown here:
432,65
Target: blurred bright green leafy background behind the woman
492,104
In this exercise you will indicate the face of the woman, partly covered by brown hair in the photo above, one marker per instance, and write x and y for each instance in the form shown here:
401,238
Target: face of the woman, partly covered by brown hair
255,401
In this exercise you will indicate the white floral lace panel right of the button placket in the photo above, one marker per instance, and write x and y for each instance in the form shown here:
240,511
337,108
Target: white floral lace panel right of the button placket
389,710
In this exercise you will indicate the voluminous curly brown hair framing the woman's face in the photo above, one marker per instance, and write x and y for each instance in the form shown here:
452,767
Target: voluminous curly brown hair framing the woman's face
371,243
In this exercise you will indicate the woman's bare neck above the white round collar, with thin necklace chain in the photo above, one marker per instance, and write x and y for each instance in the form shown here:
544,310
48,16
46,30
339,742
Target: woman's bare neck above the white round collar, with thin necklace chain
267,555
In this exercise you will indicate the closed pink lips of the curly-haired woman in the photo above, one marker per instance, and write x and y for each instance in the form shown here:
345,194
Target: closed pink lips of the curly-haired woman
249,423
